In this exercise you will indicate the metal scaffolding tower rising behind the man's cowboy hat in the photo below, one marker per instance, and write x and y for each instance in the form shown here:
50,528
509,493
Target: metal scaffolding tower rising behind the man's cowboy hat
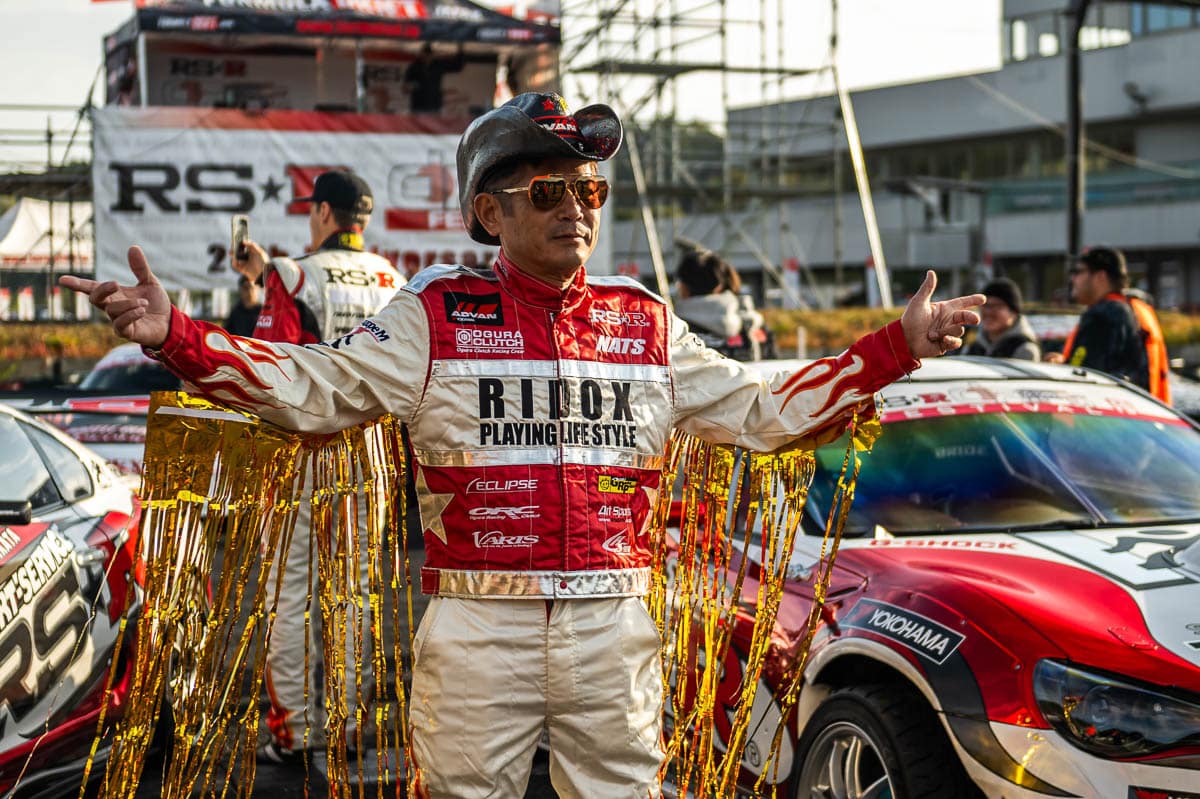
646,58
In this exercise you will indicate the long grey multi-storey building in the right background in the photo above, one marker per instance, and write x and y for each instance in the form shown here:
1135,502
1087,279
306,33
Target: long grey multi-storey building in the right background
969,173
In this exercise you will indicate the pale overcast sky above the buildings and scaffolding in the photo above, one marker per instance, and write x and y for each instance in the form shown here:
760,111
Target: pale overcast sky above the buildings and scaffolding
53,50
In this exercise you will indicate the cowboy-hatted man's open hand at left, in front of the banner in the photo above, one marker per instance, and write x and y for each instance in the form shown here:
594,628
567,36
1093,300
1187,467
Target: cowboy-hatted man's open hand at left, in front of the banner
141,314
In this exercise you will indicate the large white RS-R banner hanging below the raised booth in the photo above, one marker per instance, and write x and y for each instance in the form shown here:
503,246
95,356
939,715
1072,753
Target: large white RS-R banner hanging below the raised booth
170,179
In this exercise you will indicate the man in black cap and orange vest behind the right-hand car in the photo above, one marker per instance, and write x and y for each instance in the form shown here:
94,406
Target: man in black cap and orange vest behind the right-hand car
1118,334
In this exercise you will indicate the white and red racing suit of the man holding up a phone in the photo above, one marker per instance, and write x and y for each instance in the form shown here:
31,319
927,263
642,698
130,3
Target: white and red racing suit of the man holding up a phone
321,296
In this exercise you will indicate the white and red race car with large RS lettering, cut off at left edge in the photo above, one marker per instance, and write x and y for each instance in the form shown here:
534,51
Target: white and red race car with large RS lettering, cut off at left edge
68,582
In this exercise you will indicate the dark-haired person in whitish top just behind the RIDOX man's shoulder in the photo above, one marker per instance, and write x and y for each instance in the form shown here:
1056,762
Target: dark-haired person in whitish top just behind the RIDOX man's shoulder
711,305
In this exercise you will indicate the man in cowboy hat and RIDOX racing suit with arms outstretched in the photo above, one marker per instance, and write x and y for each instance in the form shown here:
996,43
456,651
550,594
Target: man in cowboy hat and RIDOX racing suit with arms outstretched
539,404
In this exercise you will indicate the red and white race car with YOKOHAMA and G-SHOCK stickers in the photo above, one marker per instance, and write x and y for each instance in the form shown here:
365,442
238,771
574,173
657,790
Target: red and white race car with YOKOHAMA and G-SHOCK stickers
1015,611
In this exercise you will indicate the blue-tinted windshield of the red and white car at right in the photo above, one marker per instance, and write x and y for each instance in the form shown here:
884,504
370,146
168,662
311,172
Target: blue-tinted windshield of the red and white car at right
988,472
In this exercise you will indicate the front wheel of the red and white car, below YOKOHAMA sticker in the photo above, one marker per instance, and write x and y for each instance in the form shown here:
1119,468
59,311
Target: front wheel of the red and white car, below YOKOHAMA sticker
878,742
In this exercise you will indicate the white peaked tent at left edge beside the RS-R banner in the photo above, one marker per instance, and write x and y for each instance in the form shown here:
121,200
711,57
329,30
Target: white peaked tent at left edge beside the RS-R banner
26,236
